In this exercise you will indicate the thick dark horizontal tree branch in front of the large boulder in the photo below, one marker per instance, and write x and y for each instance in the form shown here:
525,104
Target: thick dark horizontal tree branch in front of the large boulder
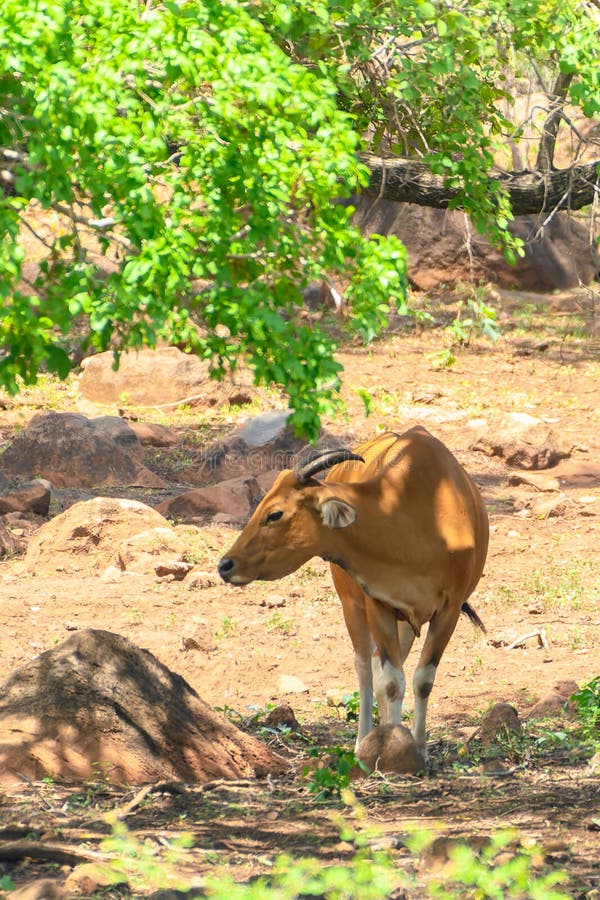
530,192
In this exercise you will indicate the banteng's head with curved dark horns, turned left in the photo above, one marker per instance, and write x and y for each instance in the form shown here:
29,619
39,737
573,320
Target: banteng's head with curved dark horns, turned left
291,524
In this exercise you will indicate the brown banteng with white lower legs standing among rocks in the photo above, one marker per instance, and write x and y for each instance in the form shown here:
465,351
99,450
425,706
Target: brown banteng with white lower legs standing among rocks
406,533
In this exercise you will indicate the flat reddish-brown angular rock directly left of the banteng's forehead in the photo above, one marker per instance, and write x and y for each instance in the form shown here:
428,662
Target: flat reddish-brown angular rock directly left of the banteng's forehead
236,498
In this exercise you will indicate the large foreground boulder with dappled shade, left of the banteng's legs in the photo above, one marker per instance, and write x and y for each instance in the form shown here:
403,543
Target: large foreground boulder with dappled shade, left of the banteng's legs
97,704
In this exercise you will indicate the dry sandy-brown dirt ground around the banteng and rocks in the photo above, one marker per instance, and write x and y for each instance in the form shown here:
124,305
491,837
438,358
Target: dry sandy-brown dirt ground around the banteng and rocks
542,573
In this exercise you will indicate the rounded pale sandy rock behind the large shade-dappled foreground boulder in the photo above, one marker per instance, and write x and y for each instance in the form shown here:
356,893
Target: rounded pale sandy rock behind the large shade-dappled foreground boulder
89,535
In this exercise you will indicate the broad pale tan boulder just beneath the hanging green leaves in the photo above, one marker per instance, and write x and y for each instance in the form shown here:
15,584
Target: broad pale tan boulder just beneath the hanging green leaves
163,377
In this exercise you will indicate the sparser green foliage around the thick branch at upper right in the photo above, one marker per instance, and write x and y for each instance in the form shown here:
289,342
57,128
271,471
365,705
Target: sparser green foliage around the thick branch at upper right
434,85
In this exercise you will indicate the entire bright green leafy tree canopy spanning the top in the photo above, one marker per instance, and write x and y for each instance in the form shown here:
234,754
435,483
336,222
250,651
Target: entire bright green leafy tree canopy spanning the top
174,170
